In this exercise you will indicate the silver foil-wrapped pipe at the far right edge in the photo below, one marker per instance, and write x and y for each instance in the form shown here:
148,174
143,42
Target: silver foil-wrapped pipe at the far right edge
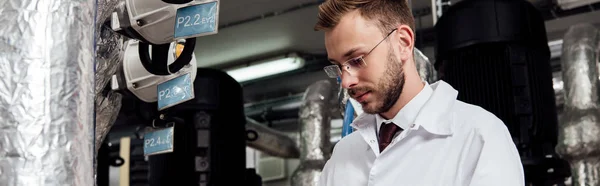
579,128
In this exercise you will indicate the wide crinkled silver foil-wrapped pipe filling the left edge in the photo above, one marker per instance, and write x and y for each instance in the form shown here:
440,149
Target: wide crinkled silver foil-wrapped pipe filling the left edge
46,92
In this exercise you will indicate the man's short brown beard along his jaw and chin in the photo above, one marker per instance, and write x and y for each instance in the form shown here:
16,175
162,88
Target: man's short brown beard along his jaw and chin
389,87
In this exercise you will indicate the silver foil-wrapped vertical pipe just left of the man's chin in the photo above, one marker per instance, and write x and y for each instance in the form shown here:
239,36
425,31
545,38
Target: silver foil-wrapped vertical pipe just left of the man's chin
315,126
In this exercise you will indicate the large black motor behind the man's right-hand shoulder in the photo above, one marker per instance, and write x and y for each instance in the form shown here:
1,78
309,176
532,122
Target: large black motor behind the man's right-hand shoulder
501,62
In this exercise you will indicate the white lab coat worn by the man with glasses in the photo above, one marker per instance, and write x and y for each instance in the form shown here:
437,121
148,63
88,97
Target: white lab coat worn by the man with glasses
451,143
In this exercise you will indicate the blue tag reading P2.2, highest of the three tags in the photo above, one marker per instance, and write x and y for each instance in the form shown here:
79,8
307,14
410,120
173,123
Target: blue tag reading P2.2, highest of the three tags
197,20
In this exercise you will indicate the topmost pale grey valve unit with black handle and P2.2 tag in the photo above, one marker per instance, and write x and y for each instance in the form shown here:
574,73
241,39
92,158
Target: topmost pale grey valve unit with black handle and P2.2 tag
158,23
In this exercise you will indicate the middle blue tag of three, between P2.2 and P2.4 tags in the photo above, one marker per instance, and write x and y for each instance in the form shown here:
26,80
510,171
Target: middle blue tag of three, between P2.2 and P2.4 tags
175,91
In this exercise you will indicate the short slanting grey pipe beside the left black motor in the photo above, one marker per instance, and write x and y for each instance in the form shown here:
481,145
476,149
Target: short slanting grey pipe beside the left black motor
270,141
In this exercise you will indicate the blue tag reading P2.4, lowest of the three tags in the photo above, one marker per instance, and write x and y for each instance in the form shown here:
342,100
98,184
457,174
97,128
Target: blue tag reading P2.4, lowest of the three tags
158,141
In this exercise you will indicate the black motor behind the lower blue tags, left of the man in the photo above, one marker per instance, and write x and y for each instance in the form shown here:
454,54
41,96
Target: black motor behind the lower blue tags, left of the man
210,136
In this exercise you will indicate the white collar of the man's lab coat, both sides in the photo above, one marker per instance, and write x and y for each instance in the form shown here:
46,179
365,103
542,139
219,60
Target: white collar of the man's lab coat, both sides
435,117
